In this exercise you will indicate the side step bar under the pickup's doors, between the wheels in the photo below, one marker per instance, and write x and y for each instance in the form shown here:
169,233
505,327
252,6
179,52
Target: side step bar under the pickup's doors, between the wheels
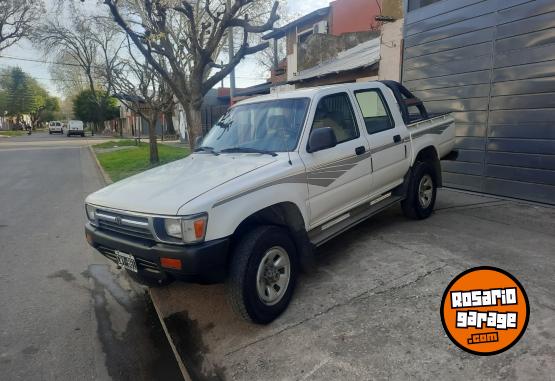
323,233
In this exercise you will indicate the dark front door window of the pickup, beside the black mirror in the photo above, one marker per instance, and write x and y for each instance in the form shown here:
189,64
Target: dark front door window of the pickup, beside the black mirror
335,111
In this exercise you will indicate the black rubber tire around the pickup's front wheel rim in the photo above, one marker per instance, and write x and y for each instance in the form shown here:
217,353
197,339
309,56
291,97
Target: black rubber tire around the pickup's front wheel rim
242,283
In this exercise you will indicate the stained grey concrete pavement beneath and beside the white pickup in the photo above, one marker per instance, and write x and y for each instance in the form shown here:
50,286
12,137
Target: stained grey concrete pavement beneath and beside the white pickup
370,309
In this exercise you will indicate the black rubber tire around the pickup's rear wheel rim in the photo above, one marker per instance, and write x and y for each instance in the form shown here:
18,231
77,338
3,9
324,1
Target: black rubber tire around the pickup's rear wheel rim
412,206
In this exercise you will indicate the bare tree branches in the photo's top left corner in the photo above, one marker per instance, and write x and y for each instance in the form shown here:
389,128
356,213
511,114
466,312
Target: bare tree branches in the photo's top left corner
16,20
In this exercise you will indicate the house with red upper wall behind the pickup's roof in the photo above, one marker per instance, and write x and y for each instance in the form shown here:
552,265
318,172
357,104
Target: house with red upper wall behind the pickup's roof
333,44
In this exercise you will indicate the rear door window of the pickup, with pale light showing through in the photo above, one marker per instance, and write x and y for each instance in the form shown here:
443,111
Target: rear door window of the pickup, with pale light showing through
374,110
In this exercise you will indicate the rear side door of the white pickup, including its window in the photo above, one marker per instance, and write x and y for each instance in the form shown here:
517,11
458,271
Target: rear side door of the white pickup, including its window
388,138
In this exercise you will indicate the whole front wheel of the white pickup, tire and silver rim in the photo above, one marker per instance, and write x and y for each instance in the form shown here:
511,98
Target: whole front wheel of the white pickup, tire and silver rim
263,273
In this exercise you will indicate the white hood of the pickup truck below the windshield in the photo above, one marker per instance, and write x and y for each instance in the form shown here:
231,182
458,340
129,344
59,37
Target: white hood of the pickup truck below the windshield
163,190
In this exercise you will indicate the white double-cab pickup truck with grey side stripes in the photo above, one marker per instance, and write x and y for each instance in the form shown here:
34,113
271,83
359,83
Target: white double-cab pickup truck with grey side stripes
276,177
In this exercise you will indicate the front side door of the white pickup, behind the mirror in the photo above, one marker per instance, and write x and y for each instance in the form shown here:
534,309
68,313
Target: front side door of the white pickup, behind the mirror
338,177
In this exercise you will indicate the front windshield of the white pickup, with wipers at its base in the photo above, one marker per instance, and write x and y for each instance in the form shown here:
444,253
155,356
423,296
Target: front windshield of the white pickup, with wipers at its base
266,126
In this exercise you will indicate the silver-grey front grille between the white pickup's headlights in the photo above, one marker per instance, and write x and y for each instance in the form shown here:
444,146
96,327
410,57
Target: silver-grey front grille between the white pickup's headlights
126,225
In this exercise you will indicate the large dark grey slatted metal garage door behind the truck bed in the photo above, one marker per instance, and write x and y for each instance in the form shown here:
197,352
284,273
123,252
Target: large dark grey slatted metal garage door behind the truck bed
492,63
